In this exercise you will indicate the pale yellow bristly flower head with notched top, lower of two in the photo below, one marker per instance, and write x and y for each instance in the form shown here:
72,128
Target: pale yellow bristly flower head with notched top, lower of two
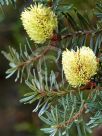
79,66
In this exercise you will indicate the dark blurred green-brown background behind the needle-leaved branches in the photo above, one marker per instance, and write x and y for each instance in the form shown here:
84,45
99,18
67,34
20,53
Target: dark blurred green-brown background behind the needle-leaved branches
17,119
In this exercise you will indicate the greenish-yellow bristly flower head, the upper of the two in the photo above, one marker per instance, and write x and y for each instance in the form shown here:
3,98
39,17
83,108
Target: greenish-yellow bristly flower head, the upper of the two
39,22
